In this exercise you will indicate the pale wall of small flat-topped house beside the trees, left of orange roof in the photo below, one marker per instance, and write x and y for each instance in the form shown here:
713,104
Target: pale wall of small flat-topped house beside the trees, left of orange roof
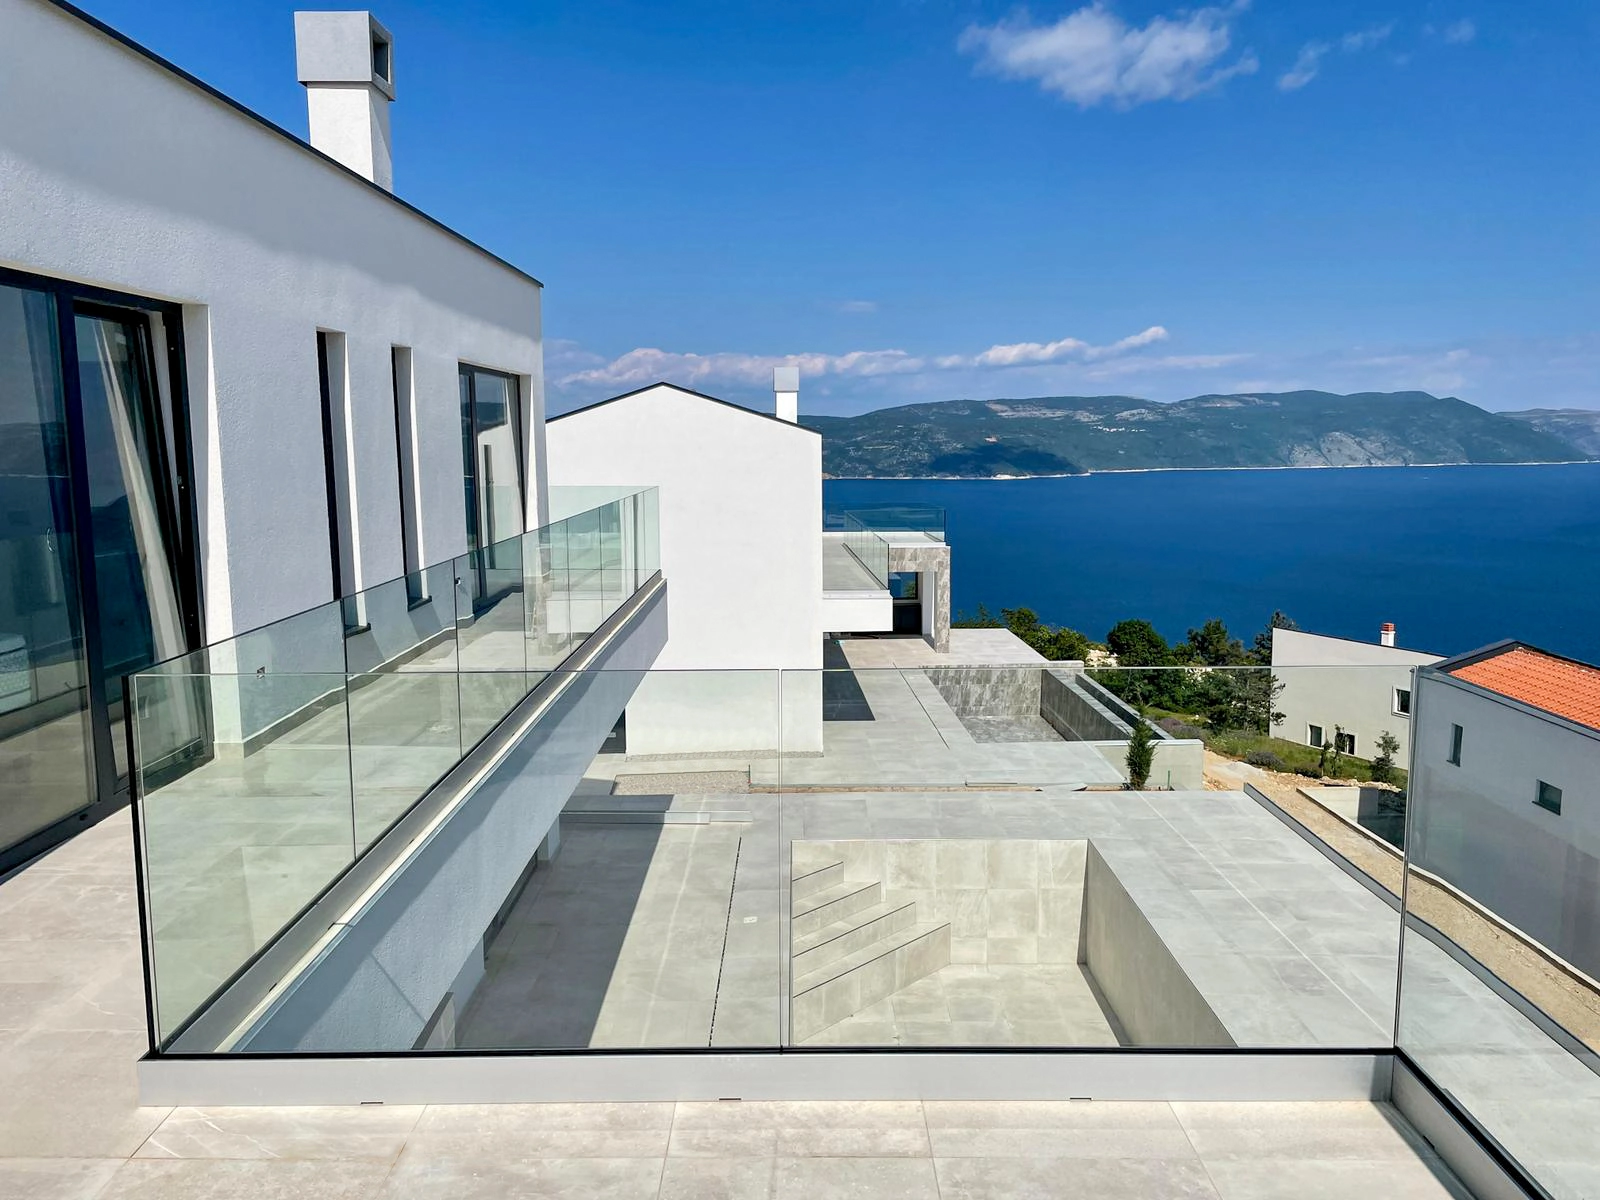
1332,681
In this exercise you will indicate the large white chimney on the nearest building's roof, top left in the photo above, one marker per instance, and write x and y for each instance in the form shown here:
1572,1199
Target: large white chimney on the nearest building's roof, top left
346,63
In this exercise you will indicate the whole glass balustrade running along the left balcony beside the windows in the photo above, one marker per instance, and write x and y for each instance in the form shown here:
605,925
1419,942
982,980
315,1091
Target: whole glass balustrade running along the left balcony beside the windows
268,764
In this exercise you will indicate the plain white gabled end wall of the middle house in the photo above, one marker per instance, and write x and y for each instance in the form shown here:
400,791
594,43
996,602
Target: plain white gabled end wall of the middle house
742,510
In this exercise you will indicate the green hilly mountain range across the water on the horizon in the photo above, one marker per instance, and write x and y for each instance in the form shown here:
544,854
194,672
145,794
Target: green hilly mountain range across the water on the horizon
1078,434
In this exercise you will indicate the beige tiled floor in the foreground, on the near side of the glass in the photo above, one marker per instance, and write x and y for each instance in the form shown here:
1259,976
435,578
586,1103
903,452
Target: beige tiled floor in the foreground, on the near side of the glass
73,1025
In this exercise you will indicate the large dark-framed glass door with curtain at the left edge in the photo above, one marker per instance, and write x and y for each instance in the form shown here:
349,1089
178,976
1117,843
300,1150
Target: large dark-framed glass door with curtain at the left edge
97,561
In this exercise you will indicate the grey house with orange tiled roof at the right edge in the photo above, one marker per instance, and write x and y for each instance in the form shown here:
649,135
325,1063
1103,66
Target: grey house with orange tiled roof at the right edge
1506,791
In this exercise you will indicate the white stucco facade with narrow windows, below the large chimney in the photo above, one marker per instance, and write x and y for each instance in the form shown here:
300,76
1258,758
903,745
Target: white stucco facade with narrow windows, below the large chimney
137,180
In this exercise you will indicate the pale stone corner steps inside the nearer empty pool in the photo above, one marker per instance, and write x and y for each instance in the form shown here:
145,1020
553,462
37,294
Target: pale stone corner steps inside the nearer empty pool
850,950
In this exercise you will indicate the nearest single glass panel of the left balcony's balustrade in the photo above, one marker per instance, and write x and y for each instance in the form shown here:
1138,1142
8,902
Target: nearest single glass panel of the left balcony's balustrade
246,830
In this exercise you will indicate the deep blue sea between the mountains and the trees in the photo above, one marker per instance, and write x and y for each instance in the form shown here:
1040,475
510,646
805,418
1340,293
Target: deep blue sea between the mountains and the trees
1457,558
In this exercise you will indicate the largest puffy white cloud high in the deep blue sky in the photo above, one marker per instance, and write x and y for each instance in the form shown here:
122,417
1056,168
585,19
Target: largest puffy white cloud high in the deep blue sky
1094,57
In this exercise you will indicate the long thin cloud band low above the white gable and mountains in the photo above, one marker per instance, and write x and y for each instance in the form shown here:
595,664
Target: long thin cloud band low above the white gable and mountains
647,364
